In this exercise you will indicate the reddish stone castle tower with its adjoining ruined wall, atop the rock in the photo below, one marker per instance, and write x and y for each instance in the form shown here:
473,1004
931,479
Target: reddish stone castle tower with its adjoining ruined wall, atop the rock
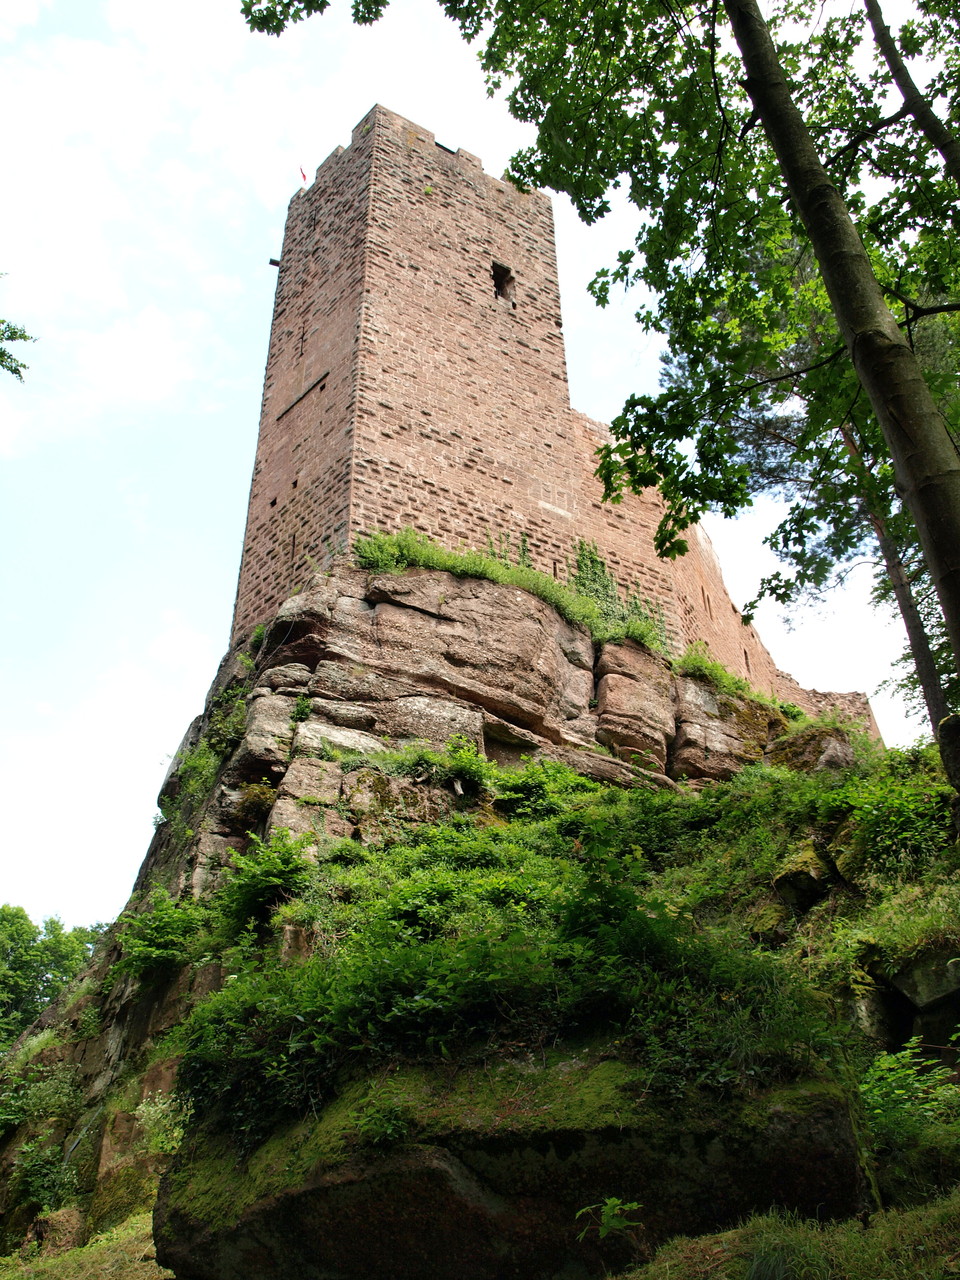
417,377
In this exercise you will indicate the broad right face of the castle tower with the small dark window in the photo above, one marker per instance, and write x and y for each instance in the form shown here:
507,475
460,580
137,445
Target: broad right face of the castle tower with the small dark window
464,426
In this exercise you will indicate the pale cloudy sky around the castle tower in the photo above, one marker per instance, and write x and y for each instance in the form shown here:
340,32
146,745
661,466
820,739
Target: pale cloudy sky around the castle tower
149,156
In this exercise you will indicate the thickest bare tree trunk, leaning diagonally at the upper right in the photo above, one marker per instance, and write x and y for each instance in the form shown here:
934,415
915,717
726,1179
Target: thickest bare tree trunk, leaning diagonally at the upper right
926,463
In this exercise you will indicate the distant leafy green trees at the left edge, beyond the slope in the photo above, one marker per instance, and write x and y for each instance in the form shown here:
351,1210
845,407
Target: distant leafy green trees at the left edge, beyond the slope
36,963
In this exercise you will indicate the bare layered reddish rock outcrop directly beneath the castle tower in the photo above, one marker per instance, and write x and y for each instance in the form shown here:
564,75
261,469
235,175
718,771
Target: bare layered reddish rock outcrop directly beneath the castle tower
427,656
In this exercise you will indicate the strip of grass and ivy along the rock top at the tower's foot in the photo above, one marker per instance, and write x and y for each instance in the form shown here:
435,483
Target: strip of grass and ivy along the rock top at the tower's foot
591,597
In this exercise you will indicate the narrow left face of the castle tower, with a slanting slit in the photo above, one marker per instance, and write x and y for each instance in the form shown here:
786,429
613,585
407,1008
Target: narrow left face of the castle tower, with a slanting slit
300,496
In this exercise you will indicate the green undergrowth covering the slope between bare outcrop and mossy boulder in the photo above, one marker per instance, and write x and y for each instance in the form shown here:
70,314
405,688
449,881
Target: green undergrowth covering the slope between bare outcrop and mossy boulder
555,907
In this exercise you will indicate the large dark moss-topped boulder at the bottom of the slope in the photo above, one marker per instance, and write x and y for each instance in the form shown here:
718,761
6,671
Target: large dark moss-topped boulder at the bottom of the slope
495,1169
